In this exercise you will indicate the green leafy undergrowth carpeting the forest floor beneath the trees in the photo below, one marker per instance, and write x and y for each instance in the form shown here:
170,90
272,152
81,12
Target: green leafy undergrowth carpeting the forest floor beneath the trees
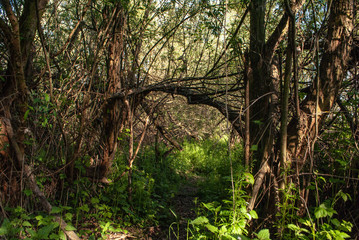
95,209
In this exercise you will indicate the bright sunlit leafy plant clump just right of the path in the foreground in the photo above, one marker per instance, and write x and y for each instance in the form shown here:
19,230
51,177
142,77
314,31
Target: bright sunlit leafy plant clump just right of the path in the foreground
227,219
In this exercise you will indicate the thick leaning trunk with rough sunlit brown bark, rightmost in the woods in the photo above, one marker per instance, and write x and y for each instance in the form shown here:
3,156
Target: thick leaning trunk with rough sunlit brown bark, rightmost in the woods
333,66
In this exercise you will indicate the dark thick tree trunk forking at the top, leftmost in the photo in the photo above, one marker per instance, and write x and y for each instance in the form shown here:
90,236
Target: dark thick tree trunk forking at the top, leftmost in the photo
19,35
